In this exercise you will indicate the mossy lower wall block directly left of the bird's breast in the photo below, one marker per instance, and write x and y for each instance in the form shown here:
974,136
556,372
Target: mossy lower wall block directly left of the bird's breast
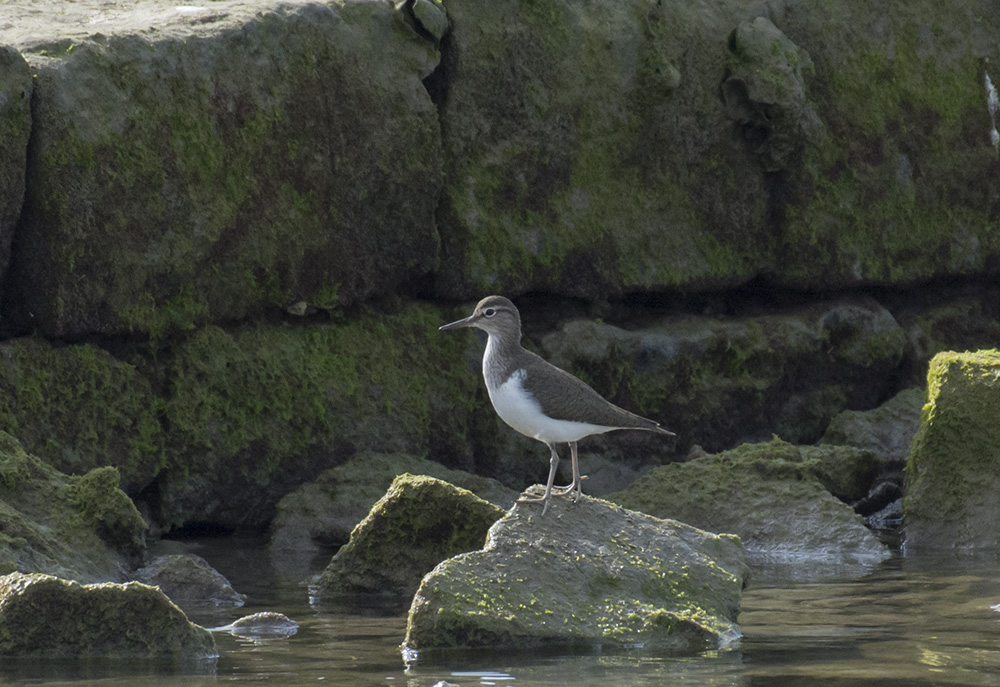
257,411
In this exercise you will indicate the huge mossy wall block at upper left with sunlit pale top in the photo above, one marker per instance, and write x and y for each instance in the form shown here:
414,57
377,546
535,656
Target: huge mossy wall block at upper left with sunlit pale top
203,165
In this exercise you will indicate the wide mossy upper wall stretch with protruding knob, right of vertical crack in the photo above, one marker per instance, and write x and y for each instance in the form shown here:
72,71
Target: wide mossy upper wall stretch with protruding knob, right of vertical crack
595,149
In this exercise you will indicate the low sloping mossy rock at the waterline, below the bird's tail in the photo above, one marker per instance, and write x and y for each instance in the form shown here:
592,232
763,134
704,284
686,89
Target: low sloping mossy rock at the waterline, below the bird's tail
768,494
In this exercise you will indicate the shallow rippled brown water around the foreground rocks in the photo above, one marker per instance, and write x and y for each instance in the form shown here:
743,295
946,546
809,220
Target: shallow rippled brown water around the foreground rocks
909,621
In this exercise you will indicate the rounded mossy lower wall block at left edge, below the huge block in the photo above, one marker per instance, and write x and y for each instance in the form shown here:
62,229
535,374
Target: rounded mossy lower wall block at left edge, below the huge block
78,408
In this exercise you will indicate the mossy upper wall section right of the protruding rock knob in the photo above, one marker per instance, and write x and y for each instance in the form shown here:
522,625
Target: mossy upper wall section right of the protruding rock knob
895,193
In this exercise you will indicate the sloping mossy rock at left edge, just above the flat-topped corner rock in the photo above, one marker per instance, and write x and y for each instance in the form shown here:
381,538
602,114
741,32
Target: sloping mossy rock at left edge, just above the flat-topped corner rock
80,527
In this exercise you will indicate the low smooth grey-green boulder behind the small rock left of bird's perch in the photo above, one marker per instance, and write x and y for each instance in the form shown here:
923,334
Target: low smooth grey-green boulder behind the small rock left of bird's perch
324,512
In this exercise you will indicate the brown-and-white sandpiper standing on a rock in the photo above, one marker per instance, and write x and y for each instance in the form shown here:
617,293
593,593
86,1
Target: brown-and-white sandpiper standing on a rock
540,400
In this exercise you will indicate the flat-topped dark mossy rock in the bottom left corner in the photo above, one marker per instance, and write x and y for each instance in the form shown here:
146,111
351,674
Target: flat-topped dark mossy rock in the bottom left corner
44,616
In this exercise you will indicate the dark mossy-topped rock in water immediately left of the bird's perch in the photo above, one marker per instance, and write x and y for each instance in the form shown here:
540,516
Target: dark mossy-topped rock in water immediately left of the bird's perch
417,524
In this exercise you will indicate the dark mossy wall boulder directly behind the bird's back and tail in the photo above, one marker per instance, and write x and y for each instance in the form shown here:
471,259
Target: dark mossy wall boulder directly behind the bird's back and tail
719,381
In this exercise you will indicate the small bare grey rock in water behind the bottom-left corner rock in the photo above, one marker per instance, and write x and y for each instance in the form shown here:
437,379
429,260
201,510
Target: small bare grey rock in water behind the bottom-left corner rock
189,581
